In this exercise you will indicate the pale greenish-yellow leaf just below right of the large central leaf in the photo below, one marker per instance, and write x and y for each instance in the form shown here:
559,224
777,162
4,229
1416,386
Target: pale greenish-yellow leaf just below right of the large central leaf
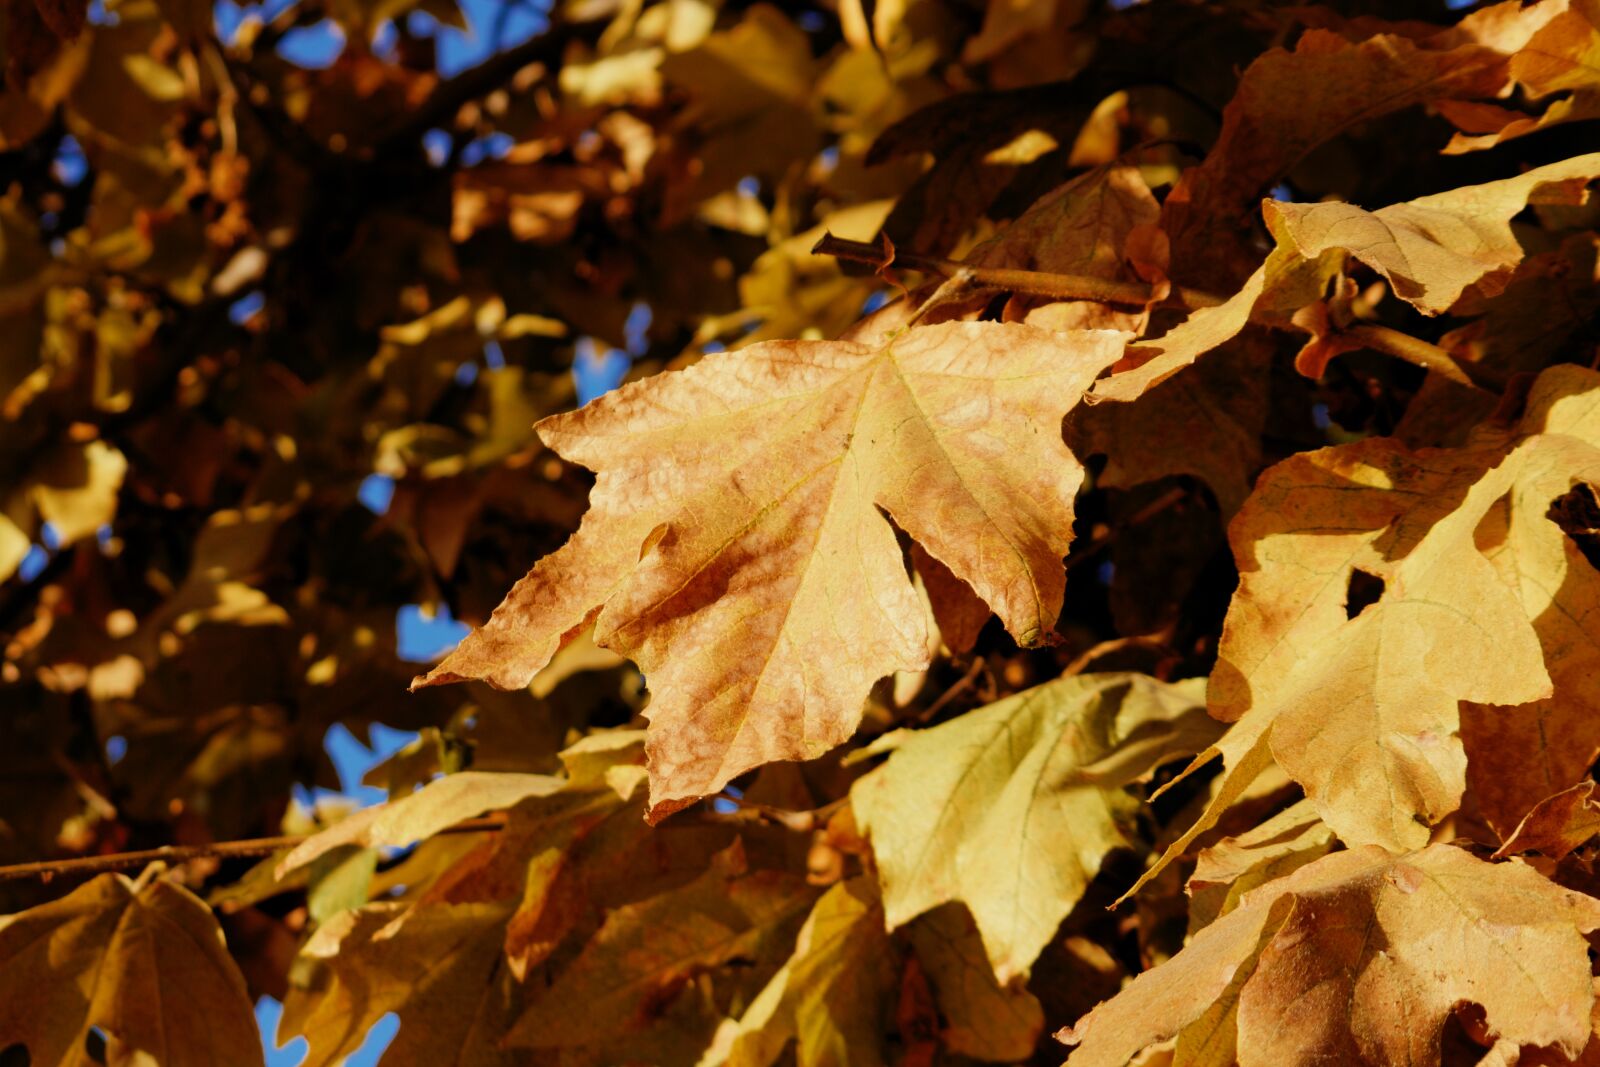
1012,809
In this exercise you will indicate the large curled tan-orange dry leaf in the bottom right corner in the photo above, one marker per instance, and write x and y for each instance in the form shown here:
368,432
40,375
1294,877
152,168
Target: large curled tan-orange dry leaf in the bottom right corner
1359,959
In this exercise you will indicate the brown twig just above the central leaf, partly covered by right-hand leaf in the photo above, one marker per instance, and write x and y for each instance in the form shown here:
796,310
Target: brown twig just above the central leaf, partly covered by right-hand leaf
1074,287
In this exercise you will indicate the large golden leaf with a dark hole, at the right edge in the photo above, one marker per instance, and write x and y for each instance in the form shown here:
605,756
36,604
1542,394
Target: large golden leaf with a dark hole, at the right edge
1361,700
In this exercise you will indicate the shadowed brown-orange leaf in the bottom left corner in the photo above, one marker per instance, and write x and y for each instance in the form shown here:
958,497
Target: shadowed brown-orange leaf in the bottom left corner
145,964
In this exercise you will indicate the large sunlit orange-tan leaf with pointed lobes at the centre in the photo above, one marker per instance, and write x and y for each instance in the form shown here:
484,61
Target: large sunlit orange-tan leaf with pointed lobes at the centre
737,545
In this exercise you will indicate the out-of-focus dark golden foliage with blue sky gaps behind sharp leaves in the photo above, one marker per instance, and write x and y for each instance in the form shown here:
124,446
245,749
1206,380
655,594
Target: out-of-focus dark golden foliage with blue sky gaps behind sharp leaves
286,287
